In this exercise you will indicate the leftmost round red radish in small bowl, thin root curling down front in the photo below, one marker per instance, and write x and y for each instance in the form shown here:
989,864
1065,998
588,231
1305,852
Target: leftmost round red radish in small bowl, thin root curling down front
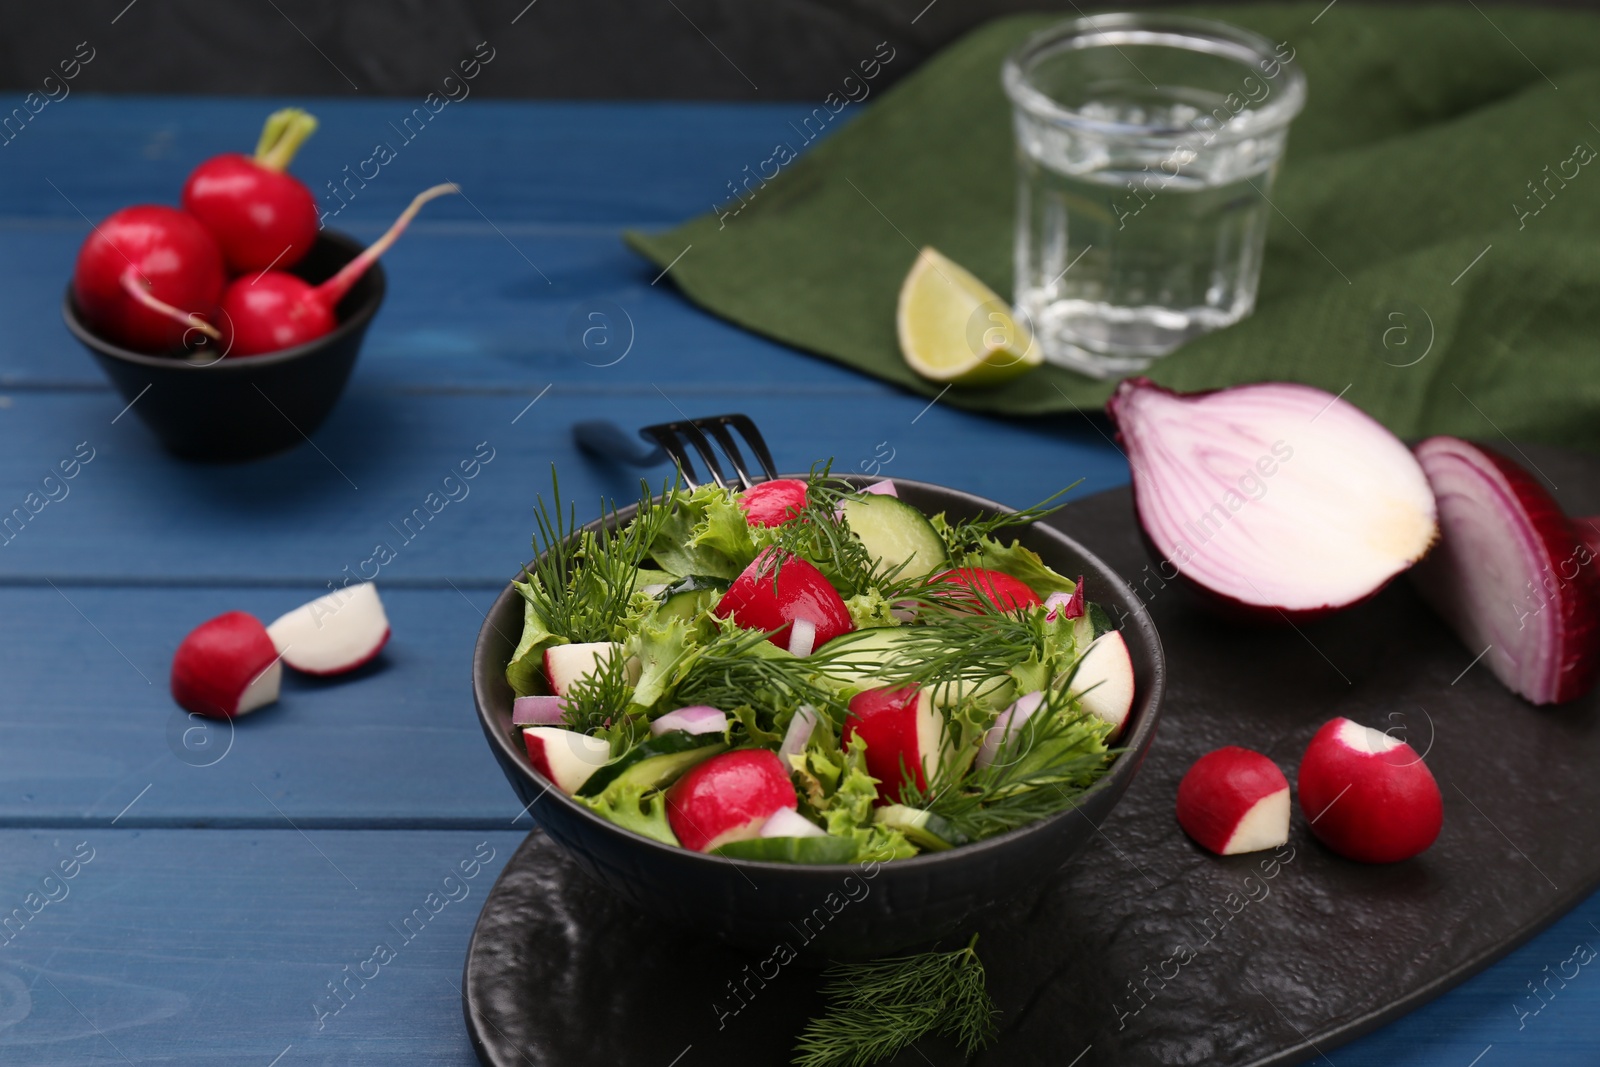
145,278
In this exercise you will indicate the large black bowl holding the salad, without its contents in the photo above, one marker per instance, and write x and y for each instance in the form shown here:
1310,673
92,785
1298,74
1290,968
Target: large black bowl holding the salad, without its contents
847,911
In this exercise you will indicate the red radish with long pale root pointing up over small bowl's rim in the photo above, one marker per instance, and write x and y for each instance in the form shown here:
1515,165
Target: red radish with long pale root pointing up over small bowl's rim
274,310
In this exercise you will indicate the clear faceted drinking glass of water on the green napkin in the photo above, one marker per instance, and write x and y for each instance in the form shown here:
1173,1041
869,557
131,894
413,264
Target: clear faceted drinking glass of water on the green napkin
1146,151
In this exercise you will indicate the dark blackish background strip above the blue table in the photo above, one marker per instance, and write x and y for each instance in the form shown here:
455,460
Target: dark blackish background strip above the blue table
556,49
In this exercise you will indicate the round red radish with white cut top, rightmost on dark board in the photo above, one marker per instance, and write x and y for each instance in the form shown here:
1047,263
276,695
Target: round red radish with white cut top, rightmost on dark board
1369,796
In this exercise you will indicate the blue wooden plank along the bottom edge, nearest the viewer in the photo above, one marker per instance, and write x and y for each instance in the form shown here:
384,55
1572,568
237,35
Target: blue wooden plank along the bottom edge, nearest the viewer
217,948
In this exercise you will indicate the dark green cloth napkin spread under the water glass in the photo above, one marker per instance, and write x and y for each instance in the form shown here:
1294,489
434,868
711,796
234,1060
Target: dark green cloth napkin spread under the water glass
1407,263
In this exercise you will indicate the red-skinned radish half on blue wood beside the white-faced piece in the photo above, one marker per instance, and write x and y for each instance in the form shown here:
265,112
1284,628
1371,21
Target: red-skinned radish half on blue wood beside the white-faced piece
226,668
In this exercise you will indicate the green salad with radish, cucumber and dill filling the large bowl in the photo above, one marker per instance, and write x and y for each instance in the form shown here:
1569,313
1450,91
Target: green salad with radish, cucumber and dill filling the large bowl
814,671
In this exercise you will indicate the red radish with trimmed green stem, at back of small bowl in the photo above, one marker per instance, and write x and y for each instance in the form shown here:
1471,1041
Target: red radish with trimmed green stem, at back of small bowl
260,215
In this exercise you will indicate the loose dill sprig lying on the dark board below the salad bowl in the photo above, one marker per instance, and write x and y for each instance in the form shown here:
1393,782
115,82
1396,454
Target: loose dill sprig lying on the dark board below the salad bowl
874,1010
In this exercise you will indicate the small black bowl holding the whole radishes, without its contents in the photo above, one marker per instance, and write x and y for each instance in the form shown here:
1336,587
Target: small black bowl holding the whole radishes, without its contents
249,407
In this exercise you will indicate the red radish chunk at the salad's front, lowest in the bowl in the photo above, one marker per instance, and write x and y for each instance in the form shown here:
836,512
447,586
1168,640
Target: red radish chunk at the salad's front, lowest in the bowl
729,799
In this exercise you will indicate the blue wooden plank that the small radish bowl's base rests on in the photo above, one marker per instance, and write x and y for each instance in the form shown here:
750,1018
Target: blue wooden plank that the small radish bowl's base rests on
137,516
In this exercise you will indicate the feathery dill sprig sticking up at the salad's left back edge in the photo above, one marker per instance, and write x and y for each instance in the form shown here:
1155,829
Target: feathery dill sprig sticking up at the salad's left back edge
582,580
